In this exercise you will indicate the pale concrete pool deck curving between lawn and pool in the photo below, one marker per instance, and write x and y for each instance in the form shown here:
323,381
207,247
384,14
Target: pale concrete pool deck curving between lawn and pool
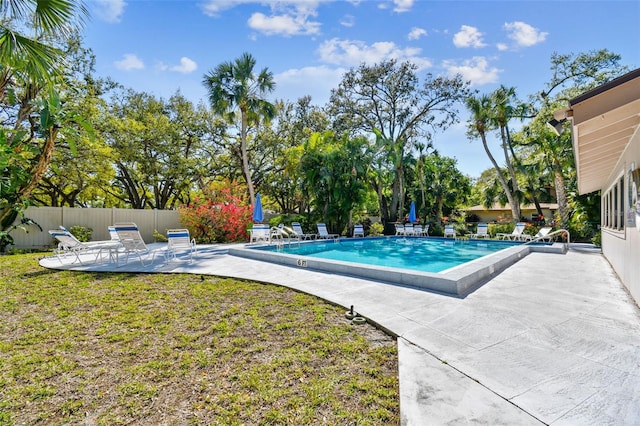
553,339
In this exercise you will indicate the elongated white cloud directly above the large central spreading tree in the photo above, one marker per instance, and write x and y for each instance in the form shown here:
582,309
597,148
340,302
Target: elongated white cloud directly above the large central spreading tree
351,53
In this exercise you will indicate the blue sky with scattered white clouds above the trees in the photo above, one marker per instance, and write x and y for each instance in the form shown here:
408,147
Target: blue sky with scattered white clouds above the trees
161,46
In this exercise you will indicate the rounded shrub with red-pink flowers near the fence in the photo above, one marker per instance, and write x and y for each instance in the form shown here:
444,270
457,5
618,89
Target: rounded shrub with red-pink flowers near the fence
222,217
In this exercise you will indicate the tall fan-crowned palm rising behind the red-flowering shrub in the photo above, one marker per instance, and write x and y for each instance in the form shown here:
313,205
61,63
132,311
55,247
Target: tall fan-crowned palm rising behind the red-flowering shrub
234,85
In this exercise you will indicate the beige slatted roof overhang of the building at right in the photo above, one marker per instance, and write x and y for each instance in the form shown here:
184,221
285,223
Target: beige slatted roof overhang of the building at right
604,121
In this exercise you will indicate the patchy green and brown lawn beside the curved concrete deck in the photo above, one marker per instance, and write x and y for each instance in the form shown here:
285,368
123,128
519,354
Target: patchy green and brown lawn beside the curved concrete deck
110,349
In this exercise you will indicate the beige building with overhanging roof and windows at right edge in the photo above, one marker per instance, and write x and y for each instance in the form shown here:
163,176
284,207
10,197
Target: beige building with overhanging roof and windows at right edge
606,144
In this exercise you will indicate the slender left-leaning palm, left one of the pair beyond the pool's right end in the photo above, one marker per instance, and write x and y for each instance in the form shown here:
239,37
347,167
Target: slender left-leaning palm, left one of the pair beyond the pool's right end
481,121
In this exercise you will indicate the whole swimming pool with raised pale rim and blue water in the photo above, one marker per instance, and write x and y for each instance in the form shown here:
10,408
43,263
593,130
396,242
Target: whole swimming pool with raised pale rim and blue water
457,280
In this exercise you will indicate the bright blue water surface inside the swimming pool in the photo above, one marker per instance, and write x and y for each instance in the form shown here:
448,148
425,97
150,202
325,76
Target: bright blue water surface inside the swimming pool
418,254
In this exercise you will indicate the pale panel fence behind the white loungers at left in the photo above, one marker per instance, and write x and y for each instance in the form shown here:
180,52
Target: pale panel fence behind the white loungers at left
96,219
